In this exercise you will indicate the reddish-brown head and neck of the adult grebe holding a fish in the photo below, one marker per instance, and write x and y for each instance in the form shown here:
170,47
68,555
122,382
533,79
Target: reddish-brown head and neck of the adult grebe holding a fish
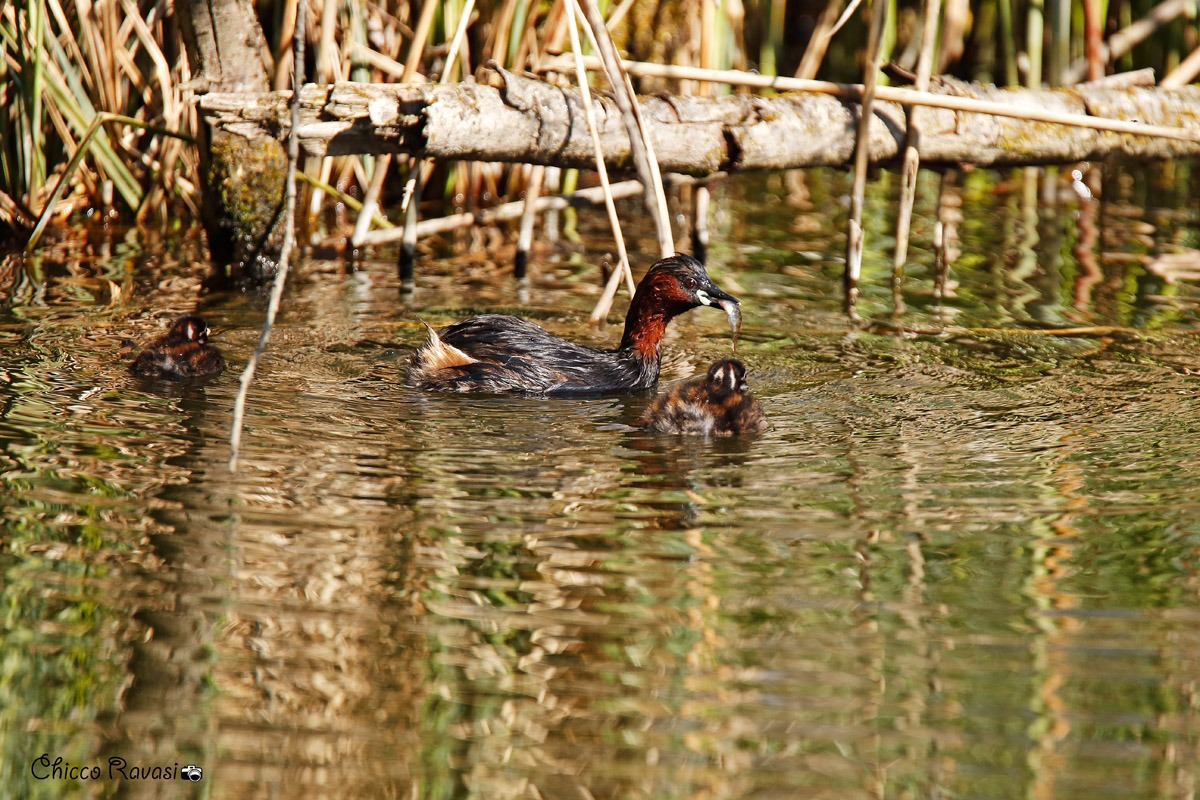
673,286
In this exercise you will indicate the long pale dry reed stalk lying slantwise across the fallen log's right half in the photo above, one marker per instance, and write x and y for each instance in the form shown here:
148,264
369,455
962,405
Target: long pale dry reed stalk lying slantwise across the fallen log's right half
896,95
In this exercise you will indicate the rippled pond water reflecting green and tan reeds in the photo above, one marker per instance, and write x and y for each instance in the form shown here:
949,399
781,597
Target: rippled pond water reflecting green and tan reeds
957,567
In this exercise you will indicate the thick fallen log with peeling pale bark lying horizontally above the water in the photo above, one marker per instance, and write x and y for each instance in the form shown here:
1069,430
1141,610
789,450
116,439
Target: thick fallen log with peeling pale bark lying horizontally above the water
530,122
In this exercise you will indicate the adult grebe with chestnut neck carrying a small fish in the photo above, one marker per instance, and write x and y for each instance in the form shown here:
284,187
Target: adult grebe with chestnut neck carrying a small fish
503,354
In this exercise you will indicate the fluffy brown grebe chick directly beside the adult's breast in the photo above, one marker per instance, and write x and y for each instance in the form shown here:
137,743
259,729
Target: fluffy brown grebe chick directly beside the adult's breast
716,404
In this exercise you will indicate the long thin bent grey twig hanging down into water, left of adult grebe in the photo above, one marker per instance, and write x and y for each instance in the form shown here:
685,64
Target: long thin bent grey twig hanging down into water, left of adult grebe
281,274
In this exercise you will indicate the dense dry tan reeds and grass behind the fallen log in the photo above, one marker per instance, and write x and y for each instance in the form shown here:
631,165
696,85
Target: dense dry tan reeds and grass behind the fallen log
64,63
